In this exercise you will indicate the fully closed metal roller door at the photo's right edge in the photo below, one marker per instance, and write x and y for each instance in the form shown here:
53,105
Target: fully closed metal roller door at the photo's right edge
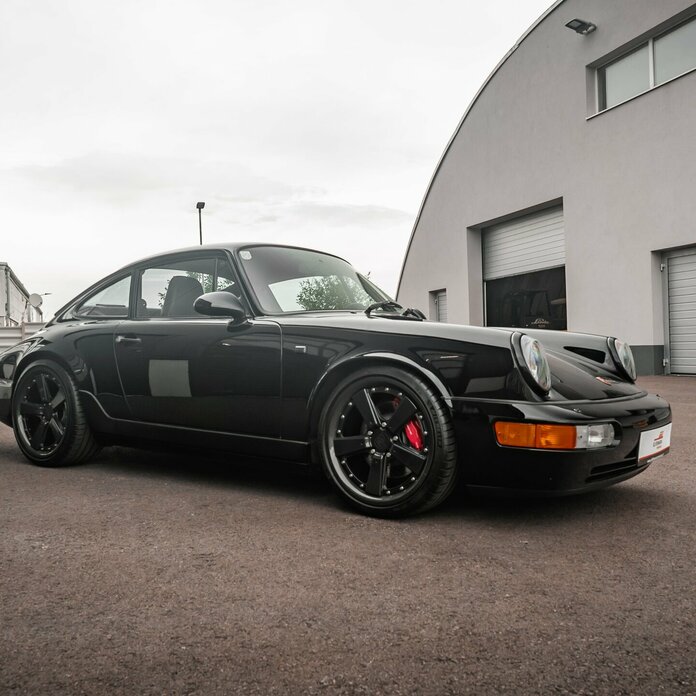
681,283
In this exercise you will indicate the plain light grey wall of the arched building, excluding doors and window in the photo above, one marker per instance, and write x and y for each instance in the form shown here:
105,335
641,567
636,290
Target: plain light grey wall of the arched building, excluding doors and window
626,177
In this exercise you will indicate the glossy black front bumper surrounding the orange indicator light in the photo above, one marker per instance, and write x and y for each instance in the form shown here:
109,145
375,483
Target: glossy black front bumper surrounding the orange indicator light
484,463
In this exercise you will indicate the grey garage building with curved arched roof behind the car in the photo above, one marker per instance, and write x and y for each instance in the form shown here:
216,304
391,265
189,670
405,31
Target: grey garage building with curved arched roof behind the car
566,197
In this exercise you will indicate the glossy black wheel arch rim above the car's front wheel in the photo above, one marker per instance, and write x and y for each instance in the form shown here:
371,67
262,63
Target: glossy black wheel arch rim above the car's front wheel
336,373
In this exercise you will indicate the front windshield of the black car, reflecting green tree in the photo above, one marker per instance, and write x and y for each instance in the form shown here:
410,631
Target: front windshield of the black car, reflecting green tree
297,280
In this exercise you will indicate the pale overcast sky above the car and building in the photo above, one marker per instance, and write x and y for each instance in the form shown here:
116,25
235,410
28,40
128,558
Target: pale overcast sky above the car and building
316,123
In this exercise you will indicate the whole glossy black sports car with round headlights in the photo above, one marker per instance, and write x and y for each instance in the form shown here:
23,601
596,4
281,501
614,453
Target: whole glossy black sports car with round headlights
289,353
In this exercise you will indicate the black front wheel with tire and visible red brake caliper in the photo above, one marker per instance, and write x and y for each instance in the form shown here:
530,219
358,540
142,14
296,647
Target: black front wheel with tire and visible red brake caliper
387,443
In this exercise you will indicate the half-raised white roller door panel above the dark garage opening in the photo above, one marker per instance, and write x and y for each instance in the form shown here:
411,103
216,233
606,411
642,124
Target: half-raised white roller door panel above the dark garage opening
530,243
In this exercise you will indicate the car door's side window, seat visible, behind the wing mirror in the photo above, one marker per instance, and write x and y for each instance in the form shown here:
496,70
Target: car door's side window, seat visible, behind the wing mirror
170,289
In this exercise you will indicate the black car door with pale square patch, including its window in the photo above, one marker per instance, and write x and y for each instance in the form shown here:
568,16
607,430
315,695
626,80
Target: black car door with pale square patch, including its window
179,368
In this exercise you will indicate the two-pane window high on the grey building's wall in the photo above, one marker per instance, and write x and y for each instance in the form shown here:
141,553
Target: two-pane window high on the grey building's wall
658,60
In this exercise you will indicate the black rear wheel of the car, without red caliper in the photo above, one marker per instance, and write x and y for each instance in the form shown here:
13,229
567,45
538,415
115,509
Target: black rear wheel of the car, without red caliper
48,419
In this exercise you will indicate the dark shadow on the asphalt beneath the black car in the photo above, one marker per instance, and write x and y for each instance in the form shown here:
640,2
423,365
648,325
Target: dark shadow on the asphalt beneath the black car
308,483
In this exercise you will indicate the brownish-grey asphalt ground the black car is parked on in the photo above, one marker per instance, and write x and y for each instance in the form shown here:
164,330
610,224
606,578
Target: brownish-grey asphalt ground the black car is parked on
158,573
